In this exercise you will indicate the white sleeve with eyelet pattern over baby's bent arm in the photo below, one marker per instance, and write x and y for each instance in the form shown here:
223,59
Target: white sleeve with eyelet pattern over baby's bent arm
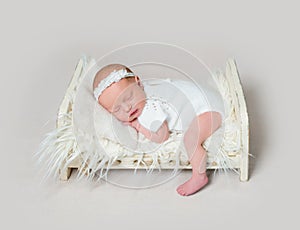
152,116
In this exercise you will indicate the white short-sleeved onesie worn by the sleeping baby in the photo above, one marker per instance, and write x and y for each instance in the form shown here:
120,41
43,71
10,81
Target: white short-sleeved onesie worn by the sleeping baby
178,102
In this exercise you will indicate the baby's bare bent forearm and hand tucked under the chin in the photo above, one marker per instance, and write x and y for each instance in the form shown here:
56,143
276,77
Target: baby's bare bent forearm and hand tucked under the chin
161,135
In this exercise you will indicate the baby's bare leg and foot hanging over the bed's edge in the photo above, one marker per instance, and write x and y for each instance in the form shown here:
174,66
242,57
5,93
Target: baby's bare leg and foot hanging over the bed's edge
200,129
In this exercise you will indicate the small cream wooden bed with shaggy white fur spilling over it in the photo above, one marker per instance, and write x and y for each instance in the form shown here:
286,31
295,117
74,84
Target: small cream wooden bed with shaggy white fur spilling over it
60,152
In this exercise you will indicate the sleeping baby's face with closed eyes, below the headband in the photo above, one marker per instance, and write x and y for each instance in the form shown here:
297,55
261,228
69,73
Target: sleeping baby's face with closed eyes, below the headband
125,100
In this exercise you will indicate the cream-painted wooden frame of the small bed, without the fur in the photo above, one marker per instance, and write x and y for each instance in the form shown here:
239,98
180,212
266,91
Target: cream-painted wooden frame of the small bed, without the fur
239,158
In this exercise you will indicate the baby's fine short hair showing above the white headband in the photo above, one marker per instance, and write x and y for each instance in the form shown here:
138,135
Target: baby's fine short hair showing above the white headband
106,70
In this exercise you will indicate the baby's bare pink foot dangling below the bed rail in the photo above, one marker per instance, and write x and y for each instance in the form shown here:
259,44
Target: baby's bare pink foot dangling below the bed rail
193,185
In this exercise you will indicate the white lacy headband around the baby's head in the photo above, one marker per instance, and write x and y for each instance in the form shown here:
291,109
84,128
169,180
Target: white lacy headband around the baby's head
114,76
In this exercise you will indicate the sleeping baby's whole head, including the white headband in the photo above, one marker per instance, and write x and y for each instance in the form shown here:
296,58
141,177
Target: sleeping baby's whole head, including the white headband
119,91
